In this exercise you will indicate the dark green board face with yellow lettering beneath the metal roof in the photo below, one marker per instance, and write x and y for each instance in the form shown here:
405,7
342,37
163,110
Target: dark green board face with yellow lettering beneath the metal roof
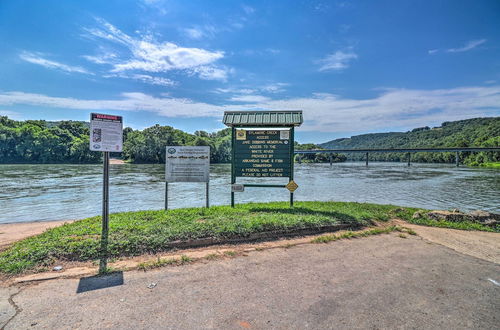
262,153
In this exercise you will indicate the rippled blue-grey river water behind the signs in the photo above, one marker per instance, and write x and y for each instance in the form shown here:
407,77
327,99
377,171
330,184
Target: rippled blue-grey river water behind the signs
57,192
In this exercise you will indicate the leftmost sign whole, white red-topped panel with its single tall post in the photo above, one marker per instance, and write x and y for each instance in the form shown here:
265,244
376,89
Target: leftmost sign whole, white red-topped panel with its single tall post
106,135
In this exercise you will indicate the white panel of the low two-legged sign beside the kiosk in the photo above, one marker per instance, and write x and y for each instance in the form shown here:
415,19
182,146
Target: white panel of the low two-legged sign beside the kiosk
187,164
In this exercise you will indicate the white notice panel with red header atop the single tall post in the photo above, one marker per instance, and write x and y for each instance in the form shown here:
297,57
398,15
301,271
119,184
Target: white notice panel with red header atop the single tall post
106,132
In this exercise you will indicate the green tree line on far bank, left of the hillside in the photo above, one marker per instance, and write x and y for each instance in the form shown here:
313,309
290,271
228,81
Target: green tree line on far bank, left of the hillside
40,141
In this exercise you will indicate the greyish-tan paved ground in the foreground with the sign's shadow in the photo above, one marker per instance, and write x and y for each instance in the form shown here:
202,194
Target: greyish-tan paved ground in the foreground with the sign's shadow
378,282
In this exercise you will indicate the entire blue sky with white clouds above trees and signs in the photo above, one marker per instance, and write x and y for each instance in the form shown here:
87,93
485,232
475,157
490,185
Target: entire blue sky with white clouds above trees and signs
353,67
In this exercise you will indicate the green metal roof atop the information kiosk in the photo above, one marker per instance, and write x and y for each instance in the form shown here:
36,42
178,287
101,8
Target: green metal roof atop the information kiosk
263,118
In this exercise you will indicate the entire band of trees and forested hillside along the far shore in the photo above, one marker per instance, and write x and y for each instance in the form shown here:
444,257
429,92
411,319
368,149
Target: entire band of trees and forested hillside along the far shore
38,141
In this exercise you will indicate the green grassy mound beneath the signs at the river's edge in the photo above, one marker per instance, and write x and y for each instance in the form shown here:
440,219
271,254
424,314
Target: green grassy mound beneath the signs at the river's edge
135,233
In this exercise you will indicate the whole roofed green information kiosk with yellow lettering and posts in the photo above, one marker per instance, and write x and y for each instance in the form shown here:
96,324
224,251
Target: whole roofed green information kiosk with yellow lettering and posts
262,147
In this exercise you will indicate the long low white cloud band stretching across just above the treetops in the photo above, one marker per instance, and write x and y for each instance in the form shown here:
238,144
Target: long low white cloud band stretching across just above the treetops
392,108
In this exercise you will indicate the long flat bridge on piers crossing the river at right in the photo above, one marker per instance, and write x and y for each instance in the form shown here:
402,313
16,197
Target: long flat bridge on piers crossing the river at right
409,151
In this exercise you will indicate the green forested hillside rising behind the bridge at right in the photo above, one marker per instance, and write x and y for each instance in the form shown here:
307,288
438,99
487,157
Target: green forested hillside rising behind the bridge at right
477,132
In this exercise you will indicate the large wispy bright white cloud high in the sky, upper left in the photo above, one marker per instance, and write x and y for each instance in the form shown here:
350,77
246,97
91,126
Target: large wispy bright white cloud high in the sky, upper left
148,55
